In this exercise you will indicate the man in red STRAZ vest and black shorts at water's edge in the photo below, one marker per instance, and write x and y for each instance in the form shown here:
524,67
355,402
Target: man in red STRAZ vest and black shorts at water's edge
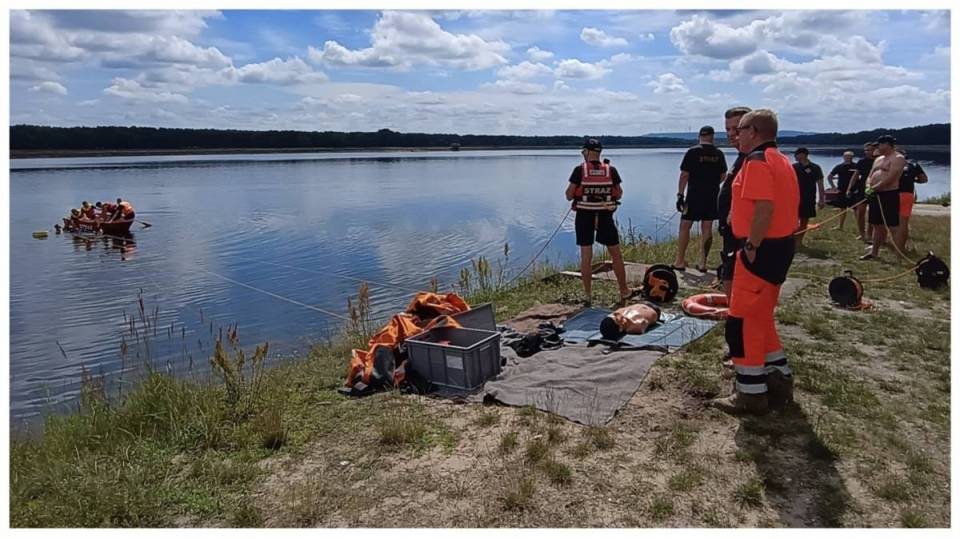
595,189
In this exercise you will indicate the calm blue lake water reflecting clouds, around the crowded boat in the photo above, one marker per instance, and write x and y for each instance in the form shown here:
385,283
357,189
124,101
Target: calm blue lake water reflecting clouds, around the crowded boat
233,233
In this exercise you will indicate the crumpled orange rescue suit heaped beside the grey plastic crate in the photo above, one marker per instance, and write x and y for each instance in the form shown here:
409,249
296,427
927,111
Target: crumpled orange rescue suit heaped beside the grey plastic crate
426,311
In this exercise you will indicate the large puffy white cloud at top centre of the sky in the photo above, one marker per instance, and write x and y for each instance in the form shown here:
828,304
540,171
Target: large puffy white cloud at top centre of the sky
402,40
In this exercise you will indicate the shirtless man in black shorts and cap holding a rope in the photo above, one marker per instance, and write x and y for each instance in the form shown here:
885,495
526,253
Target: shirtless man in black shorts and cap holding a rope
883,192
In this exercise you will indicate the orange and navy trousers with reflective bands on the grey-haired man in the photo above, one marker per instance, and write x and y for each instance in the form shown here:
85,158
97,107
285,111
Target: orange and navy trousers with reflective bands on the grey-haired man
751,333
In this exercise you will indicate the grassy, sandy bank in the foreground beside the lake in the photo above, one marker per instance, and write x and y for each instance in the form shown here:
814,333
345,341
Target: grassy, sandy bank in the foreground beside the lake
868,444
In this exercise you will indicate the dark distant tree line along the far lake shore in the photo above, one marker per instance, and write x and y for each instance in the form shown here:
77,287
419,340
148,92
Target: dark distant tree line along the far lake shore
39,138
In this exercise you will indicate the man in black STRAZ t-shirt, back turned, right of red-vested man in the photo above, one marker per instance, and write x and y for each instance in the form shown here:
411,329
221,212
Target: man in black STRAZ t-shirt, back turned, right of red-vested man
701,172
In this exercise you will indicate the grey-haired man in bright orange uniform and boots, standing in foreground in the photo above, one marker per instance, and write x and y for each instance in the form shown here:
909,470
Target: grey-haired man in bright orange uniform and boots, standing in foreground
763,217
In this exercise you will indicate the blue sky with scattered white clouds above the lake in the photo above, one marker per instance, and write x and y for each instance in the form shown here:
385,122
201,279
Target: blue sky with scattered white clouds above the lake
482,72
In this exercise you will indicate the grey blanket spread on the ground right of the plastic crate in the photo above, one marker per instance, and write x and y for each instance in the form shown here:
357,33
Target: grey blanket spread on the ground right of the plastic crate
579,382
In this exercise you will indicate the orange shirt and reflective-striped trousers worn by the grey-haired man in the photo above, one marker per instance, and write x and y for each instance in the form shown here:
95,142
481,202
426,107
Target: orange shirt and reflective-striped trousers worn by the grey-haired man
767,175
